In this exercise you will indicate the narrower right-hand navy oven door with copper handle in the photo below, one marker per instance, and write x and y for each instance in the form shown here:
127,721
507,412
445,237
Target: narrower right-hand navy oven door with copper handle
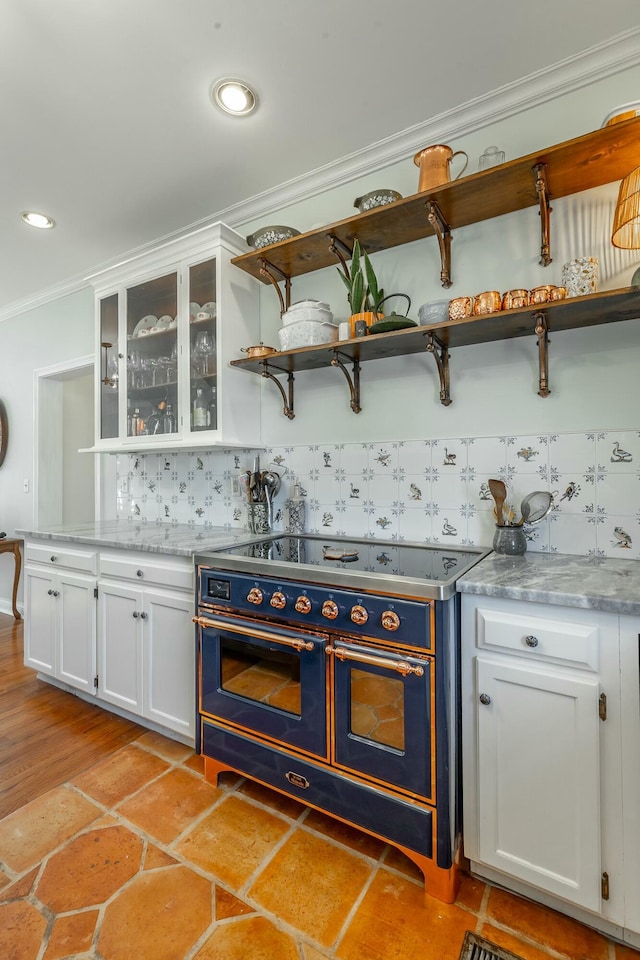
384,723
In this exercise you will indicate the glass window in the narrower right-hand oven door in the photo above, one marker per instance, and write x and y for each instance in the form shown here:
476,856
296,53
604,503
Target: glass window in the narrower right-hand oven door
377,708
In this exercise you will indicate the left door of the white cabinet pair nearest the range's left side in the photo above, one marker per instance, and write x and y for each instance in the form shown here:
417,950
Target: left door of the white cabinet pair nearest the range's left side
120,645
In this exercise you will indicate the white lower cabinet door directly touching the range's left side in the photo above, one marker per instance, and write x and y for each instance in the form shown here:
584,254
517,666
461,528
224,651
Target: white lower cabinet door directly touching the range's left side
169,661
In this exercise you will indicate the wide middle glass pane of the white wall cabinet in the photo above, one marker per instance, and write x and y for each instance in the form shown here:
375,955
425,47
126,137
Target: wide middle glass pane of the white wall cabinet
152,357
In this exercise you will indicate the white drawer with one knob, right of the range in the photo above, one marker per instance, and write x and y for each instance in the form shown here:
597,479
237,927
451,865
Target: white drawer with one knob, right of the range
558,641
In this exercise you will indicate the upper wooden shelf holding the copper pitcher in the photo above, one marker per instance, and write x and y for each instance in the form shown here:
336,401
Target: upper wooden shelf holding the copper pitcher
596,158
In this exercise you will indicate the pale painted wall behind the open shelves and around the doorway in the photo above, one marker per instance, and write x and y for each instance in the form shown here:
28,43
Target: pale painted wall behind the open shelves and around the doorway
593,373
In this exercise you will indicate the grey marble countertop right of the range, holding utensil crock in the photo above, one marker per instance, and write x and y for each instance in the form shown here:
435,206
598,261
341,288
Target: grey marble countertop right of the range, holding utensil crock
604,584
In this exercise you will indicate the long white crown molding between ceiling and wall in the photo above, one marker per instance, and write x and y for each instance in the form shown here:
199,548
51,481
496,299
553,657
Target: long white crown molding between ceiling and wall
603,60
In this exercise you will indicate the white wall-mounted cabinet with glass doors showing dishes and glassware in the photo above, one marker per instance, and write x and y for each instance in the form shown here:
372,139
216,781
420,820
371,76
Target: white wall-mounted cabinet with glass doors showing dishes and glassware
168,324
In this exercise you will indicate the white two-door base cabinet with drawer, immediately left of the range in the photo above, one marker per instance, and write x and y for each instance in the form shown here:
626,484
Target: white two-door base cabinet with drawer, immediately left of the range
146,648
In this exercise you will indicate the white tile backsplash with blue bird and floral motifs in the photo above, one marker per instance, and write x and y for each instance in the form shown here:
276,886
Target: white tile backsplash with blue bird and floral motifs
433,491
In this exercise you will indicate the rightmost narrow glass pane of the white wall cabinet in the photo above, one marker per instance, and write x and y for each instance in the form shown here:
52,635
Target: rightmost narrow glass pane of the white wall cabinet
202,345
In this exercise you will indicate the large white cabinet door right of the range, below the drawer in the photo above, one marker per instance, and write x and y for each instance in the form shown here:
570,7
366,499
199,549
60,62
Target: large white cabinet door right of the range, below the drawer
539,777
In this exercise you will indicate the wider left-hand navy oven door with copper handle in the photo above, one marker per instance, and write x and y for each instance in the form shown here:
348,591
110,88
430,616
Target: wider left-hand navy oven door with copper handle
265,680
